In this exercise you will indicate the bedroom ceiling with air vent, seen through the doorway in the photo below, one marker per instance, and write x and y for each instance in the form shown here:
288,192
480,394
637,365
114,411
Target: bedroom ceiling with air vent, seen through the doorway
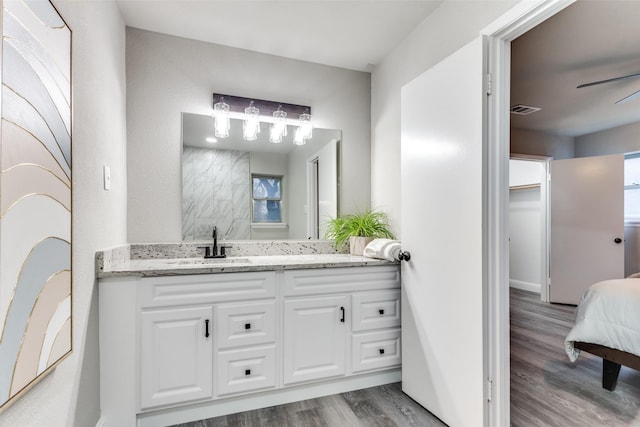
588,41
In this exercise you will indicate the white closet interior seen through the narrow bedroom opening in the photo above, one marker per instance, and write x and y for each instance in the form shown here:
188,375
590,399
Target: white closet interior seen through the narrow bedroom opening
525,225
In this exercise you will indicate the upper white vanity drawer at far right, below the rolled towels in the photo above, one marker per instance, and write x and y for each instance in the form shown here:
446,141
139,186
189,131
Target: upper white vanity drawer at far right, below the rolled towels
375,310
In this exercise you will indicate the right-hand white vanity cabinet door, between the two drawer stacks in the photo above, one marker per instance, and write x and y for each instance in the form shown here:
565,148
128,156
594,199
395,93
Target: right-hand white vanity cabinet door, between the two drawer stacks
314,338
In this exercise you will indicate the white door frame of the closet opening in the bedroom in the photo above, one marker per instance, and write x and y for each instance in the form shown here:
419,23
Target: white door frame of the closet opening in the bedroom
545,217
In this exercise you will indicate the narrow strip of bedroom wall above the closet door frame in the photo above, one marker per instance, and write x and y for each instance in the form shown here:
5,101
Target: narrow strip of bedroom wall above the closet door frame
542,144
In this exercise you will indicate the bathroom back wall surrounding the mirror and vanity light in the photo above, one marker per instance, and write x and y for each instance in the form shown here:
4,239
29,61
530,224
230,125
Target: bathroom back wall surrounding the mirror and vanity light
168,75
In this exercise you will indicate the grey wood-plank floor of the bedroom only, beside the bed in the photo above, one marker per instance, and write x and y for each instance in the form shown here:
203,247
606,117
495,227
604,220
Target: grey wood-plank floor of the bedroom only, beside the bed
546,388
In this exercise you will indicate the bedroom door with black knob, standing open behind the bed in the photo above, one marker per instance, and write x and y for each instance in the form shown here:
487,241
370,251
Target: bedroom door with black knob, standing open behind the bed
587,219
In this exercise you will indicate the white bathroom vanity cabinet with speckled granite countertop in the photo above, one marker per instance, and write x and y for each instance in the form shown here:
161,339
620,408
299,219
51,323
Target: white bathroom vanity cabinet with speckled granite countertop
184,338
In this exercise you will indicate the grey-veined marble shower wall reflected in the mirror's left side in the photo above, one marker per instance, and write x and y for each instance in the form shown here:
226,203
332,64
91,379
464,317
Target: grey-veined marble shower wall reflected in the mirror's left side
220,179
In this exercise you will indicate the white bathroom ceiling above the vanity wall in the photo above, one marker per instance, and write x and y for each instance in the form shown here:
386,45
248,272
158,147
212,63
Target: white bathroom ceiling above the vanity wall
353,34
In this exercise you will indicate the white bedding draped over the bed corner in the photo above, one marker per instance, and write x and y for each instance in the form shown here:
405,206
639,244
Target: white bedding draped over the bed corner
609,315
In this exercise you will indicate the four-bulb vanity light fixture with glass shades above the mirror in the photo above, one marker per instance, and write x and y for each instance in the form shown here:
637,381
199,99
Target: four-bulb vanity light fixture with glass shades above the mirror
279,115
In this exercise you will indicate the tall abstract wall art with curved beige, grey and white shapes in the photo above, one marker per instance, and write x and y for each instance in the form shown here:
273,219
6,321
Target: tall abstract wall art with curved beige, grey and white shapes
35,195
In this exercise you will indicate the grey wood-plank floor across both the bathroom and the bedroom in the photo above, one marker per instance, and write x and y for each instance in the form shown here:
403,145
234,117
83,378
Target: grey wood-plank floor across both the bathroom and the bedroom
546,389
